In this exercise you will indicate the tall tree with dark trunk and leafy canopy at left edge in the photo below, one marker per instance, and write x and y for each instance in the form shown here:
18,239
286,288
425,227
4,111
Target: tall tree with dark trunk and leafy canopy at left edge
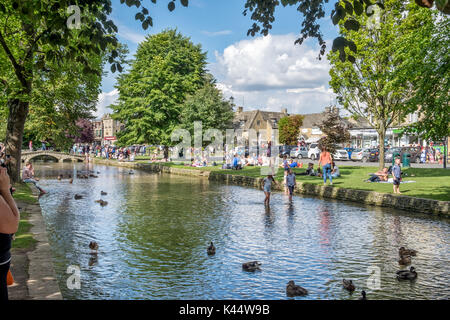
34,36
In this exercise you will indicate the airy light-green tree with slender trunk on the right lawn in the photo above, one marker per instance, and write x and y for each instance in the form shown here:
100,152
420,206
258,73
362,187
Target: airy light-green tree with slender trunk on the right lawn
370,87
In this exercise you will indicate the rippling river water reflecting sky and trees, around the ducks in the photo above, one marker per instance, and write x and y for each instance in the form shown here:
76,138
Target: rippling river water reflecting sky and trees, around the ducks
154,232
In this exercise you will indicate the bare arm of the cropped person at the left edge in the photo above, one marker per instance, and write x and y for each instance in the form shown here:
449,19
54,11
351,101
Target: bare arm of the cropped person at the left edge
9,214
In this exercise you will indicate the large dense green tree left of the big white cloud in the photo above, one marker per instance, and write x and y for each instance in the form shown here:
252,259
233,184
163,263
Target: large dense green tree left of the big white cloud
167,68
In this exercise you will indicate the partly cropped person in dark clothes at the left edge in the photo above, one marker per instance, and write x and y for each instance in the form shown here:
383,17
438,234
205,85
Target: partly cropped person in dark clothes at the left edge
9,222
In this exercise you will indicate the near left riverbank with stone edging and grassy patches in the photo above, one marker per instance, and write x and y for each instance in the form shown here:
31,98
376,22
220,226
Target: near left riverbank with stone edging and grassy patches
32,263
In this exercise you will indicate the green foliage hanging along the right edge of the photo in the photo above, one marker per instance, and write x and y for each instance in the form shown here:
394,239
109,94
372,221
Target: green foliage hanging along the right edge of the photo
426,67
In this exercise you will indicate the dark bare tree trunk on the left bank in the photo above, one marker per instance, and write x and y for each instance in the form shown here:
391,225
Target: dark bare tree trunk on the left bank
18,111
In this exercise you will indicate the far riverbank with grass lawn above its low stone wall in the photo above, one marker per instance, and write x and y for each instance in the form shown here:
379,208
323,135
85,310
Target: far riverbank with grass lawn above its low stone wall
313,186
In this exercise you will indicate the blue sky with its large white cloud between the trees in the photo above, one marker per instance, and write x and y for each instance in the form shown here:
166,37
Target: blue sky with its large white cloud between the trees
261,73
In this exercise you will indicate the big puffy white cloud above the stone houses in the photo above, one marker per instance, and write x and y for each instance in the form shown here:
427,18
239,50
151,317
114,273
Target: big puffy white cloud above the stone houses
271,73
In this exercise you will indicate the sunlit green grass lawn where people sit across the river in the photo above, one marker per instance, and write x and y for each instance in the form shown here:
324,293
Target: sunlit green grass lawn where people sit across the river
430,183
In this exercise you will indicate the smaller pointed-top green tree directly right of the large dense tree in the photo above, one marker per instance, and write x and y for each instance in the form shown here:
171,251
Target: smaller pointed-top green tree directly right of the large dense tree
208,106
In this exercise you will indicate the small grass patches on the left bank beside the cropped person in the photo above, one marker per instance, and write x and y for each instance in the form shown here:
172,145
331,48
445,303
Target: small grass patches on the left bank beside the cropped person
23,237
